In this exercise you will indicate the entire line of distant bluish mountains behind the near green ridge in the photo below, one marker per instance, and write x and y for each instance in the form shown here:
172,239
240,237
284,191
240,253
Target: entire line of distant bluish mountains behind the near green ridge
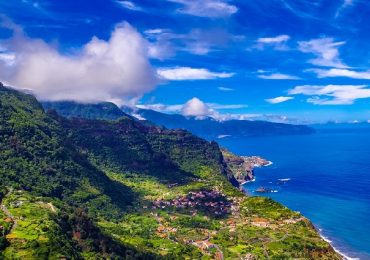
208,127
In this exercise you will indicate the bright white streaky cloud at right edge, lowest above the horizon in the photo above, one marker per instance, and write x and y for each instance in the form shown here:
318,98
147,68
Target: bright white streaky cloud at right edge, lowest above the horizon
332,94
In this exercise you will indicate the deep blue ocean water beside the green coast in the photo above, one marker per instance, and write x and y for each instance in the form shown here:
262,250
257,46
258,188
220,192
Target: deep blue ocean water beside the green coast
329,183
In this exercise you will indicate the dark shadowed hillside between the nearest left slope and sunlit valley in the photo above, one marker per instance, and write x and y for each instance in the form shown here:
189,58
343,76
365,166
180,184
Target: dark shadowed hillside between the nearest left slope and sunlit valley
120,148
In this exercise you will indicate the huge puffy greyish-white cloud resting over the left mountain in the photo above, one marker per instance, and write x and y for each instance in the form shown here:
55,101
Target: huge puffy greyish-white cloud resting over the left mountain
114,70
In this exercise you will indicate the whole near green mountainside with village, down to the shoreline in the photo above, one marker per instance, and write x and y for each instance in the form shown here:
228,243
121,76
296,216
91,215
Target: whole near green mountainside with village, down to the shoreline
97,189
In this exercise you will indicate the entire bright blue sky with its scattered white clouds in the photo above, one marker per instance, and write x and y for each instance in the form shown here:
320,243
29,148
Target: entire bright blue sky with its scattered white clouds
295,61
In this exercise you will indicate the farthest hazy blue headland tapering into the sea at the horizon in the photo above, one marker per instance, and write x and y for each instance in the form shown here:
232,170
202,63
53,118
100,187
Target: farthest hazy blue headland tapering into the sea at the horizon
211,128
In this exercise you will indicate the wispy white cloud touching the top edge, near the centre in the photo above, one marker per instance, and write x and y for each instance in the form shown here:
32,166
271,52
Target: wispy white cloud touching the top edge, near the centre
206,8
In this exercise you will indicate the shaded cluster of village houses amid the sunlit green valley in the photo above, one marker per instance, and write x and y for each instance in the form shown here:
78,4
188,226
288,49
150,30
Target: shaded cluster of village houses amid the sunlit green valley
211,201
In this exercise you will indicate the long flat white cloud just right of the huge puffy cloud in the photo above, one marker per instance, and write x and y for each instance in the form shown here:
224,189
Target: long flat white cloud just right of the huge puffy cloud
187,73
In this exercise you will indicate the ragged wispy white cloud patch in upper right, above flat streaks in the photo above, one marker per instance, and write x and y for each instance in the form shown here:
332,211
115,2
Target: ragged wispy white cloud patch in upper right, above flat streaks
326,51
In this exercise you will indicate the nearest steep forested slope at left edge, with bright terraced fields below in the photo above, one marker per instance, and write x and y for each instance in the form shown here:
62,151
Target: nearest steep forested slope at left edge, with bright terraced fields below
39,169
